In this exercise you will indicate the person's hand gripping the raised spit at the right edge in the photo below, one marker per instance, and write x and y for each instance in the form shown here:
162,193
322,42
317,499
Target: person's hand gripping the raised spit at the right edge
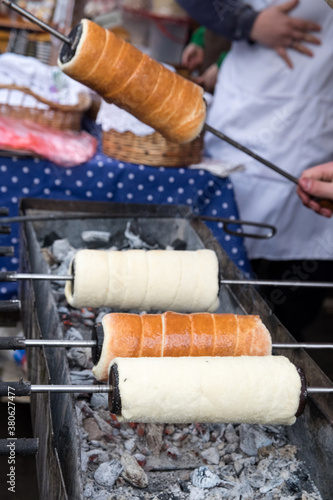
318,182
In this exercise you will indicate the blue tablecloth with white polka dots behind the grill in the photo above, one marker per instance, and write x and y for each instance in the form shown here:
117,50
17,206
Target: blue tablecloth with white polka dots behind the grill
107,179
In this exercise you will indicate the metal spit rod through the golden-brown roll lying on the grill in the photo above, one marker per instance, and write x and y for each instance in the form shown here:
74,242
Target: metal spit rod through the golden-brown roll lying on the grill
22,342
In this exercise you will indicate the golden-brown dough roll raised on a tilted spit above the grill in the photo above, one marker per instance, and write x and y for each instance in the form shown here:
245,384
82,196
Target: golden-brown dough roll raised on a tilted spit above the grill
123,75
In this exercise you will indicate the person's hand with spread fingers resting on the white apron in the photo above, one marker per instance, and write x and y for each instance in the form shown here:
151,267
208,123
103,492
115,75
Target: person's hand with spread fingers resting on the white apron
274,28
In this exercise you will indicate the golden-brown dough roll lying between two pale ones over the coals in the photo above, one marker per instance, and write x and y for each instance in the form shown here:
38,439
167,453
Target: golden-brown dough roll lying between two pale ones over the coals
174,335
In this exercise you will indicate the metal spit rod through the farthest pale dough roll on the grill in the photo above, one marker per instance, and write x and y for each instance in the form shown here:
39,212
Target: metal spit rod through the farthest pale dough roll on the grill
13,276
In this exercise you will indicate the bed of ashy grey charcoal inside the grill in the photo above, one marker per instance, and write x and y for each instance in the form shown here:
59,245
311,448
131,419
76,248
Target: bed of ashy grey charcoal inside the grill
174,462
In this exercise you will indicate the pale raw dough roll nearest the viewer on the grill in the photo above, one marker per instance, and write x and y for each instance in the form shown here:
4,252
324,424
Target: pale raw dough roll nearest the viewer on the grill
254,390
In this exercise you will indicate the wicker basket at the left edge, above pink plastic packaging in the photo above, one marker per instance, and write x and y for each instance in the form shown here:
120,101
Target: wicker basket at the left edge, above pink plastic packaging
59,116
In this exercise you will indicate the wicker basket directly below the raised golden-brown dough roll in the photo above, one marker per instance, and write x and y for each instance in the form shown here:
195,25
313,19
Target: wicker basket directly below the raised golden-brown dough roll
153,149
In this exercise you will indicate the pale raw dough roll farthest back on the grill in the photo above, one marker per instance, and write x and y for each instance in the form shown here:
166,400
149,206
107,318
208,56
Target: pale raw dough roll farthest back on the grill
145,280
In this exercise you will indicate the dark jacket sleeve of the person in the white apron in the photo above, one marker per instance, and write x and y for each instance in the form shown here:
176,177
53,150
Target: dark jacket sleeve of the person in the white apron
230,18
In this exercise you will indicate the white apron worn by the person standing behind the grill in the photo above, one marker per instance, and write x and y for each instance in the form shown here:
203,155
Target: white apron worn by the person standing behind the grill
286,116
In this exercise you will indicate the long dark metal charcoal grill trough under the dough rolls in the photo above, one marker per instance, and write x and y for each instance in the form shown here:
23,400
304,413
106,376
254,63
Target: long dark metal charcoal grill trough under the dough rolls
54,416
